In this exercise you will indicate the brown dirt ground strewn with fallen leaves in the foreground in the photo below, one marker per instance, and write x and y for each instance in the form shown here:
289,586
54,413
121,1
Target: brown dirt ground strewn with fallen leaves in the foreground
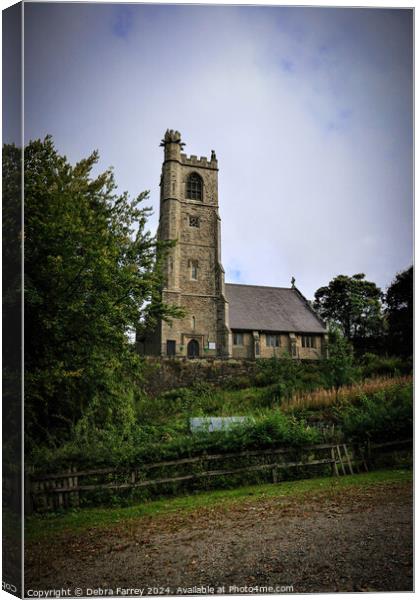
355,539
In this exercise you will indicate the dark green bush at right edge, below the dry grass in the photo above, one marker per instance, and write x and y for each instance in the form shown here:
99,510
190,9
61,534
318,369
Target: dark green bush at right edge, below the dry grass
379,417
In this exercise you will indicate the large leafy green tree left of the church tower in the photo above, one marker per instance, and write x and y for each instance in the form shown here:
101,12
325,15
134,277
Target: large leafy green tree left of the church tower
92,272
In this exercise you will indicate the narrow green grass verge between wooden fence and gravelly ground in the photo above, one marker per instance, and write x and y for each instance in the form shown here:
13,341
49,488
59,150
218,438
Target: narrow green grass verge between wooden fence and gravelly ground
41,526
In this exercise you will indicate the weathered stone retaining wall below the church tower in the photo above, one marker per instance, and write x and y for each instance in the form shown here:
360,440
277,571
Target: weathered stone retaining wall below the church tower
163,374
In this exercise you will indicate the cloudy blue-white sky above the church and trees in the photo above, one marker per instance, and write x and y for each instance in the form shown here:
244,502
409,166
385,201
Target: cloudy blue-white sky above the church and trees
309,111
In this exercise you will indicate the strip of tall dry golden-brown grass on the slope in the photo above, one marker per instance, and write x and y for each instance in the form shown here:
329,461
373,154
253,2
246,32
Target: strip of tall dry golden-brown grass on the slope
324,398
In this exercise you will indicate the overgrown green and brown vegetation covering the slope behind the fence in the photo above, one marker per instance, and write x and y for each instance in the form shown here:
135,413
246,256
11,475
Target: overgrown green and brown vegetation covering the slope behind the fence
378,409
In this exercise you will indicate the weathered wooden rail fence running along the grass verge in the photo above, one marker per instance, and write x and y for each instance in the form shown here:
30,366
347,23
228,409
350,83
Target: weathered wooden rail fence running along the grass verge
65,489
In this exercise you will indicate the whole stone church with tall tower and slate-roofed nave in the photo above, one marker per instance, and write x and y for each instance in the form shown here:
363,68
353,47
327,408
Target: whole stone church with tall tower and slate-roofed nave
223,320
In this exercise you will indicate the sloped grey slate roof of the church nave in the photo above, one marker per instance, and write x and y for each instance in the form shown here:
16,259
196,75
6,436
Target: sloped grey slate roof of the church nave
263,308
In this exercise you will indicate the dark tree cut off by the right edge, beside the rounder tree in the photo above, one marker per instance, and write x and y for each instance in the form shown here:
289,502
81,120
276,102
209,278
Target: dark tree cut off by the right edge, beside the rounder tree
399,313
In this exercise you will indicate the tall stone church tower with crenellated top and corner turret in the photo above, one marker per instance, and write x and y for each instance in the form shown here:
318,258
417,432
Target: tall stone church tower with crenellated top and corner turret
193,273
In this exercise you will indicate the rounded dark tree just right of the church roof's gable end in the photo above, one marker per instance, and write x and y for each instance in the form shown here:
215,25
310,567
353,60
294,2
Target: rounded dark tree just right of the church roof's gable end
353,304
